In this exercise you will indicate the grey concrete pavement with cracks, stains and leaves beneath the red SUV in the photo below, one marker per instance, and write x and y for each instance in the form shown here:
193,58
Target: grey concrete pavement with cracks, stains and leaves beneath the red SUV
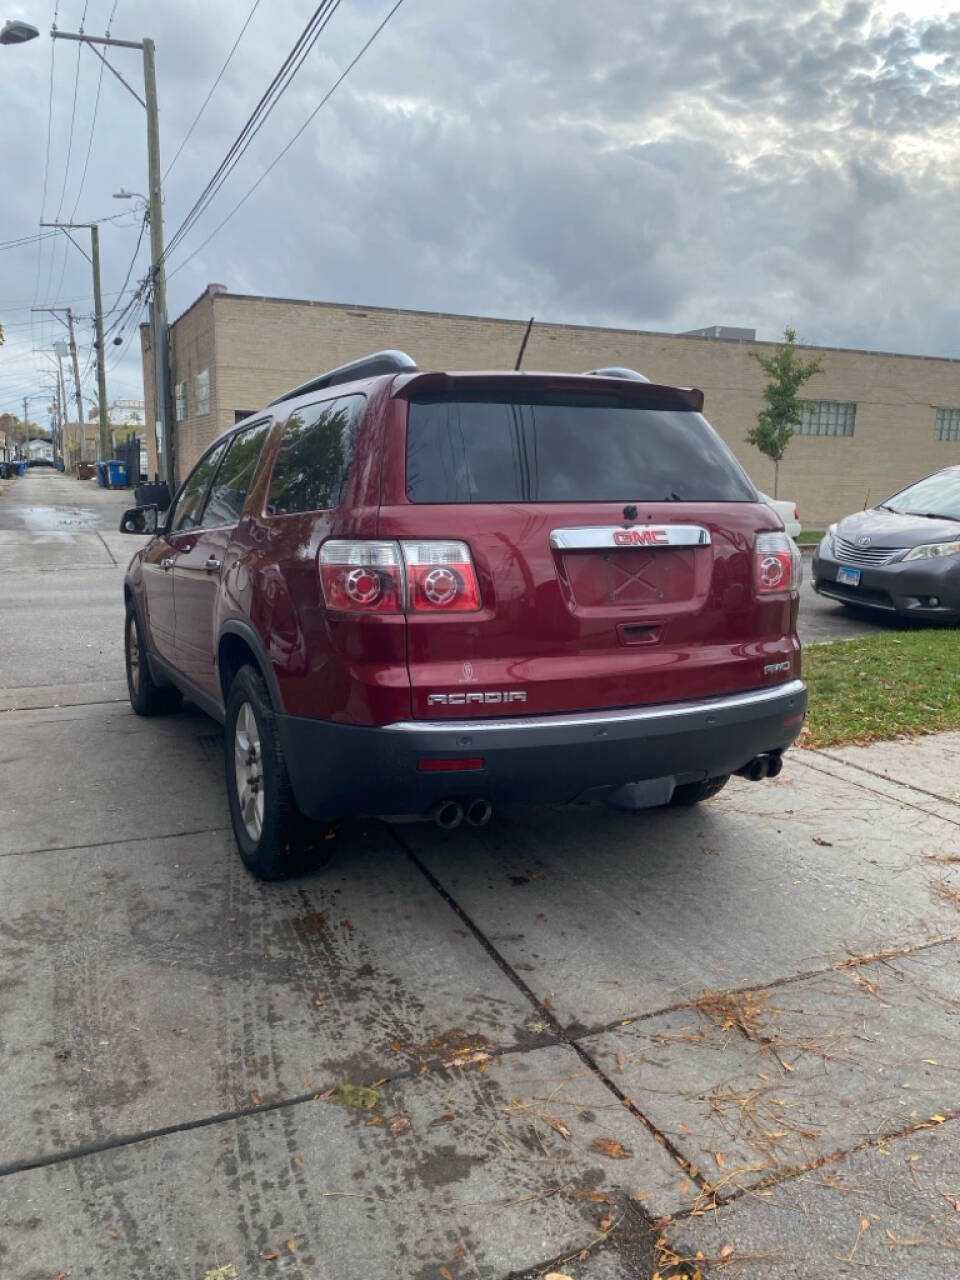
578,1040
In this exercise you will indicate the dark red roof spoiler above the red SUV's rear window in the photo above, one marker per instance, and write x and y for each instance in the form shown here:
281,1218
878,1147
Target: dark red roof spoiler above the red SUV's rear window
627,391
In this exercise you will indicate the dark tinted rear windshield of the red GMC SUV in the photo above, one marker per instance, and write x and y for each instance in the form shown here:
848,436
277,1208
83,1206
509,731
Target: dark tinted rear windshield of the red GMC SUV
506,451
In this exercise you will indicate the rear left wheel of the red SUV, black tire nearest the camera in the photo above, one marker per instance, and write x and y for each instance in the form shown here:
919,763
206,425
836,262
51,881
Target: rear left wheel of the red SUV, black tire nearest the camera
273,838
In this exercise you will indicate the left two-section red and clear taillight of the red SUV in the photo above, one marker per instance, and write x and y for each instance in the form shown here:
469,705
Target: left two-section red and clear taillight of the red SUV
395,578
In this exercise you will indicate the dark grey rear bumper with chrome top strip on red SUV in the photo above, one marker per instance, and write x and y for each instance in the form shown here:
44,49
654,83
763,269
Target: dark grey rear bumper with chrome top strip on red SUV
340,770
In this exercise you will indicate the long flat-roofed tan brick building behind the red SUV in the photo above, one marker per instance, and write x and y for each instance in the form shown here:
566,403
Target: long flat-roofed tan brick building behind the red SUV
877,420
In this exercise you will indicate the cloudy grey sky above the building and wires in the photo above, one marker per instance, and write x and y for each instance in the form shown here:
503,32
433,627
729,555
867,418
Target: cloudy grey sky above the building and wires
665,164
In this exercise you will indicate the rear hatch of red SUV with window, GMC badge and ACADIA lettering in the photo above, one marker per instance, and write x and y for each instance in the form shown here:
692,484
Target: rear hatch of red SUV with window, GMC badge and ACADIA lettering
612,540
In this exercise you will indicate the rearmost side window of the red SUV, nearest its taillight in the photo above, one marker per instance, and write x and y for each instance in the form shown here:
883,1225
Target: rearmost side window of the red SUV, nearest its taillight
314,459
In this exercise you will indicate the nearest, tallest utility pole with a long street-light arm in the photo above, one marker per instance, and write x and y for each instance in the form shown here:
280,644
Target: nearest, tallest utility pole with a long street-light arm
163,418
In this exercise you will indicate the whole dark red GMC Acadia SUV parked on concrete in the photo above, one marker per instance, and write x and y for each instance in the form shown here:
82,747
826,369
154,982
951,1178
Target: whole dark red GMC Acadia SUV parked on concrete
424,593
